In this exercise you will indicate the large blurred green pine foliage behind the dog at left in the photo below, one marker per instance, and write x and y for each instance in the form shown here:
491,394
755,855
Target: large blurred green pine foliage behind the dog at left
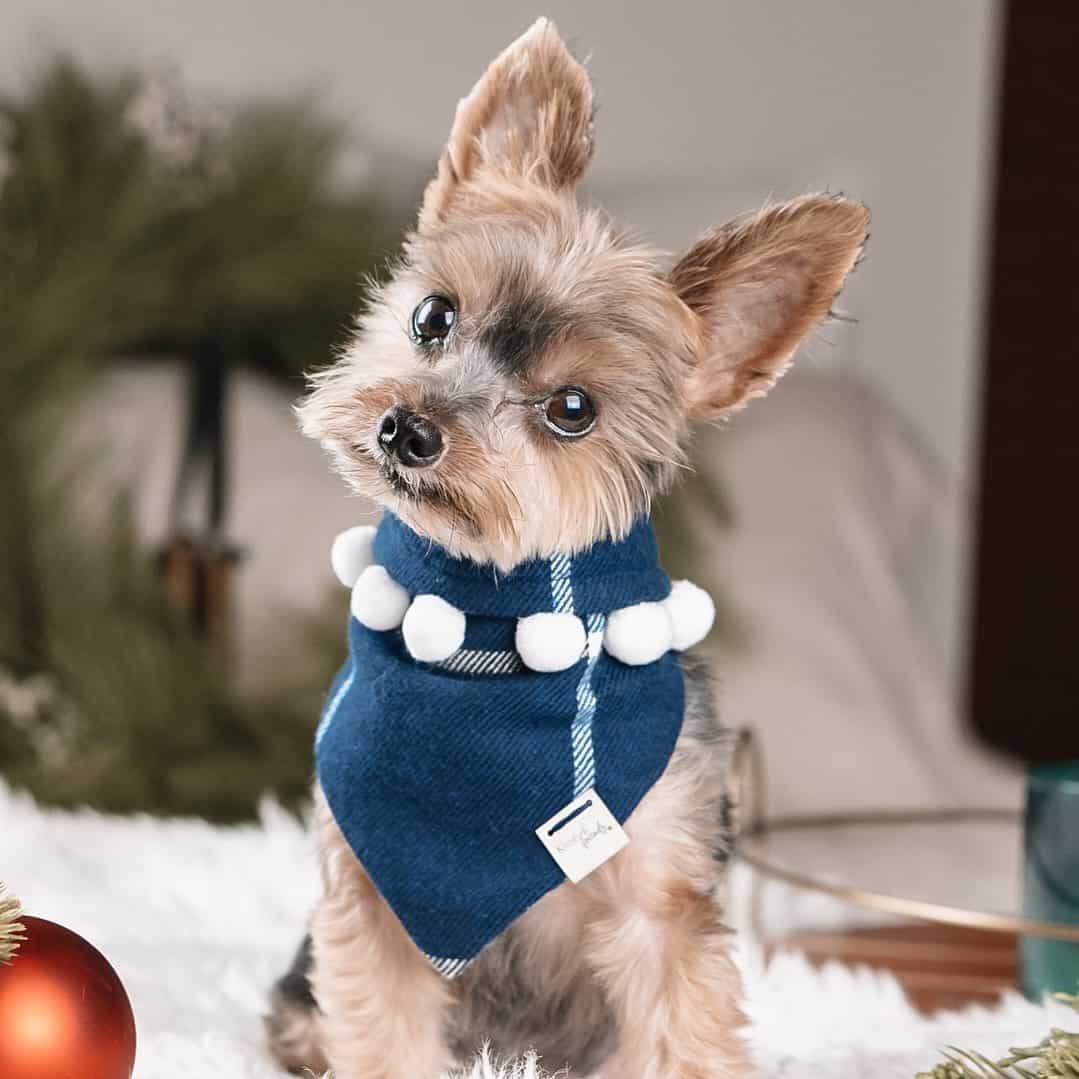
131,227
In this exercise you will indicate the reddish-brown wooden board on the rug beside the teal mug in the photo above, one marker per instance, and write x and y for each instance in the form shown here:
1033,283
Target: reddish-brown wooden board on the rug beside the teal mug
939,967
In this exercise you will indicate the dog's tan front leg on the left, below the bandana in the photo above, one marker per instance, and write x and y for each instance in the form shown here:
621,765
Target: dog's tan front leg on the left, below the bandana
383,1004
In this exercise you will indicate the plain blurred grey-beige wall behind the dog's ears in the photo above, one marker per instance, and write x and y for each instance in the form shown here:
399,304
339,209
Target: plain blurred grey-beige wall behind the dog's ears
705,111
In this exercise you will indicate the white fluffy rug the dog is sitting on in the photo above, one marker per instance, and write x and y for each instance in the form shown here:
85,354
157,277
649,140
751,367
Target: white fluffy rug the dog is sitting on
200,921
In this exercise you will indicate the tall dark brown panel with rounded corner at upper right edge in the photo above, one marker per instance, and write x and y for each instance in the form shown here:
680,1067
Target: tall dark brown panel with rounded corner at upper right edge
1025,690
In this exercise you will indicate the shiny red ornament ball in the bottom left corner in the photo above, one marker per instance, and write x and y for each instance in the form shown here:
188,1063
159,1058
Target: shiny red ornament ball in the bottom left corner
64,1014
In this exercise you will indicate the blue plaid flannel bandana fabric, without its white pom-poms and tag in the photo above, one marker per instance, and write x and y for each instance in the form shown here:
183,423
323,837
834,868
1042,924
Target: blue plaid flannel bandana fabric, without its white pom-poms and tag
440,774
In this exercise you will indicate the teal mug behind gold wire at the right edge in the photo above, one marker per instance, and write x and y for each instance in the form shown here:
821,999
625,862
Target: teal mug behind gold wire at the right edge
1051,877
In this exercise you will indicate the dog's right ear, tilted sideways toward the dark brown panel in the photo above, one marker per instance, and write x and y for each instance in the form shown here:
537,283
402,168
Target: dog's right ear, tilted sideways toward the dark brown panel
758,285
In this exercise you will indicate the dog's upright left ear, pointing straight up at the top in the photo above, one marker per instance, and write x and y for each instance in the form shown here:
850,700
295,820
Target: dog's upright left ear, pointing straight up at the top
530,115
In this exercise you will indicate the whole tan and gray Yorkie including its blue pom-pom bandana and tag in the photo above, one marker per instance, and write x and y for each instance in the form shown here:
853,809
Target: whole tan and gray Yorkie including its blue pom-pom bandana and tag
522,803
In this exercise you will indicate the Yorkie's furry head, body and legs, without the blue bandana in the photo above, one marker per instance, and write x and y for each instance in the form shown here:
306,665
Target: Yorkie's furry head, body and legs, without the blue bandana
540,373
